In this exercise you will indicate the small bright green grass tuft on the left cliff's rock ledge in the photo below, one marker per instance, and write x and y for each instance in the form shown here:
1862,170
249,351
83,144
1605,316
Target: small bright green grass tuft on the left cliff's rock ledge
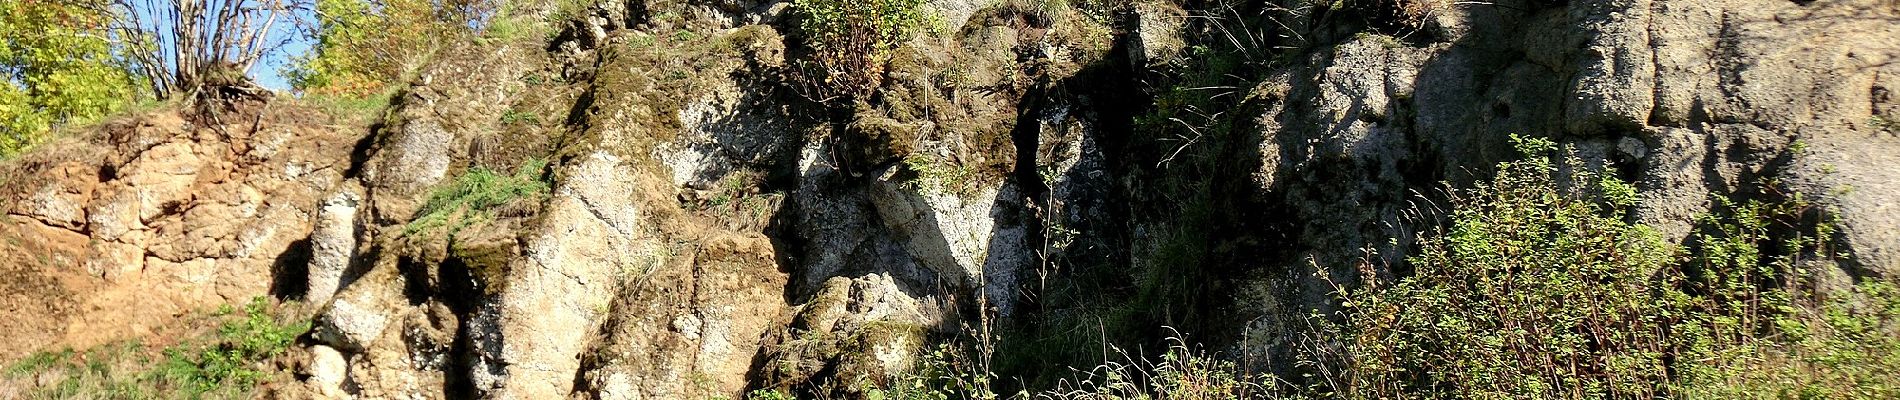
472,196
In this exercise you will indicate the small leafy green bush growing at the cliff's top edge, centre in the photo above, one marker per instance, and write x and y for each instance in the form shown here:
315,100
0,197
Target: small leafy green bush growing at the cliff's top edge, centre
852,43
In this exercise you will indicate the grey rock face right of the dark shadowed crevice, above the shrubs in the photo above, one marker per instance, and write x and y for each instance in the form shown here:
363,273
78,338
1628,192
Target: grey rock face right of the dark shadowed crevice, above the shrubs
1686,100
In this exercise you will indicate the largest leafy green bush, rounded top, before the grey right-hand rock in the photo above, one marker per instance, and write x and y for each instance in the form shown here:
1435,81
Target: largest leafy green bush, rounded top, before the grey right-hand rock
1534,291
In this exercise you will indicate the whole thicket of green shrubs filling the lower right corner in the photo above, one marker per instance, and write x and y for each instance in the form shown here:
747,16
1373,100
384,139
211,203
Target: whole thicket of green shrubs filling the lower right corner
1544,291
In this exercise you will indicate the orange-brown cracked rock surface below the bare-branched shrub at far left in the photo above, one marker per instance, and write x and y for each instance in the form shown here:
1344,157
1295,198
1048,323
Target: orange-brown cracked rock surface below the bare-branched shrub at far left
159,217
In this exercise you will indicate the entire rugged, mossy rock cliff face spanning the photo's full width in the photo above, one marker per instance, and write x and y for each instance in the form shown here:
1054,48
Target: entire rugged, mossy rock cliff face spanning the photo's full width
708,228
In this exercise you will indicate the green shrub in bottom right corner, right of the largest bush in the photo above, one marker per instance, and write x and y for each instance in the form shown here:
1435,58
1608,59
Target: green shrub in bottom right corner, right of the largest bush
1772,336
